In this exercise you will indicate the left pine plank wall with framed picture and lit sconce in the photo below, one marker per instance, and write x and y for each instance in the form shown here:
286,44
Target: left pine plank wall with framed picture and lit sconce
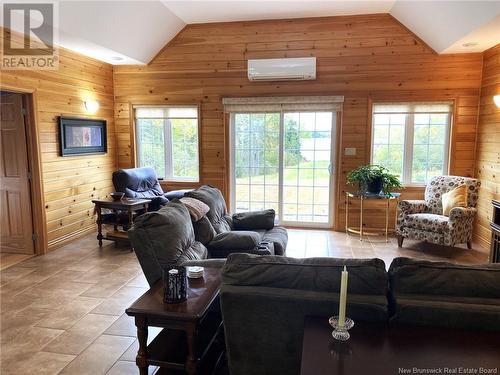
69,183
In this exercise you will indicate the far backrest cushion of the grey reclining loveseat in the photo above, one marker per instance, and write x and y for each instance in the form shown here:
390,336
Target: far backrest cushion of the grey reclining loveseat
217,214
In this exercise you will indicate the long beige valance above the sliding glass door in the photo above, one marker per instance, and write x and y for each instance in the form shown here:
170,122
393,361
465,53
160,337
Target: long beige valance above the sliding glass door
283,103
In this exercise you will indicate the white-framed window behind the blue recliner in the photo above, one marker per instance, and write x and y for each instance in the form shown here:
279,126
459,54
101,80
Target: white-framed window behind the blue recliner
167,140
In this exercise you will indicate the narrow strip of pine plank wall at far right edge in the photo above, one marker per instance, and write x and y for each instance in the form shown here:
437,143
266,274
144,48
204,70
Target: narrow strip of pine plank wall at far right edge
488,144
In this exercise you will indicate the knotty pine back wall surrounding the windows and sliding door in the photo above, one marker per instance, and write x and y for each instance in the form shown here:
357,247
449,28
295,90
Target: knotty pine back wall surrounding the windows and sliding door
365,58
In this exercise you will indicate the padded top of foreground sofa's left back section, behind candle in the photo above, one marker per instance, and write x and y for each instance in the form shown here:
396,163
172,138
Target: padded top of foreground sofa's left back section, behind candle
366,276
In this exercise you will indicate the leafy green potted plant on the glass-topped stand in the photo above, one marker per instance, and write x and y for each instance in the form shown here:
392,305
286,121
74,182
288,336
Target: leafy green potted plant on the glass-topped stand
374,179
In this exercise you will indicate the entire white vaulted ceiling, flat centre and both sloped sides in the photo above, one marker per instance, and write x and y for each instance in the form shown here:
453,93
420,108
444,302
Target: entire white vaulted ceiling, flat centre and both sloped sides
133,32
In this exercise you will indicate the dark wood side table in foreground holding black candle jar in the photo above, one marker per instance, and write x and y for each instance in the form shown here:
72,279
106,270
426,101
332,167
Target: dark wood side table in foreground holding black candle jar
192,339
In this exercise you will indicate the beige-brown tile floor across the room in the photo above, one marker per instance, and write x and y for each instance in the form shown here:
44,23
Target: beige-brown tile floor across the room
63,313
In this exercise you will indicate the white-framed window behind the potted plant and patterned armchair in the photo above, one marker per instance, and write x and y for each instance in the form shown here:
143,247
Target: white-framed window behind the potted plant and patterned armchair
412,139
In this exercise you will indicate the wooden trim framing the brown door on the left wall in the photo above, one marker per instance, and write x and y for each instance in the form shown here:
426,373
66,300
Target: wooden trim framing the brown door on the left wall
35,167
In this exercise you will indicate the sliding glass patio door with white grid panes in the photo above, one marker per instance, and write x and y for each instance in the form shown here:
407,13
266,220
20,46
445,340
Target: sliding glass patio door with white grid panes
283,160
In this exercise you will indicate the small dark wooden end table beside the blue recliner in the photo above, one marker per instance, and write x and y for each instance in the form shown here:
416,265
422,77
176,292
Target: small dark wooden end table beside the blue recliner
127,205
